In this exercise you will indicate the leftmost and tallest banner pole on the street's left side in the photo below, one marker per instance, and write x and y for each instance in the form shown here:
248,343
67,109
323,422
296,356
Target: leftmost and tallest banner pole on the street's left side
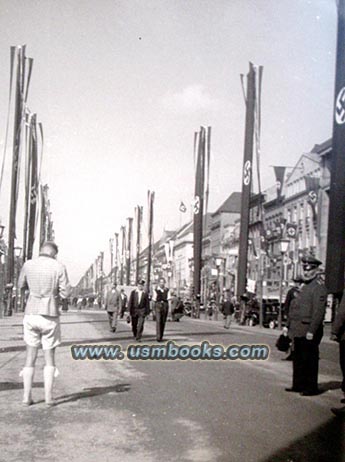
17,135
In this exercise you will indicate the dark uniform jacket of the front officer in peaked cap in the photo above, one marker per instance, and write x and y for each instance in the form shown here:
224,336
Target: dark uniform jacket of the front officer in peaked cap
311,307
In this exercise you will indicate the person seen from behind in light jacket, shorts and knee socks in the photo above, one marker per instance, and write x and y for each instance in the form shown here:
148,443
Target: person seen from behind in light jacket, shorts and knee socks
47,281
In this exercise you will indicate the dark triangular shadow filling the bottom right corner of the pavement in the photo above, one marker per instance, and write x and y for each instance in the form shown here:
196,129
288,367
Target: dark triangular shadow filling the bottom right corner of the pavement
325,444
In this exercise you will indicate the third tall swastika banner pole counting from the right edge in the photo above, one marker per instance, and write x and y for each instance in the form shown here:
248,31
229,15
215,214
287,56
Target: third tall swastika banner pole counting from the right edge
198,209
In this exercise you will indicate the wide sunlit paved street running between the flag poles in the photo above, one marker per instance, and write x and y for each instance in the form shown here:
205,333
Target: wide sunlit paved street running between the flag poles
167,410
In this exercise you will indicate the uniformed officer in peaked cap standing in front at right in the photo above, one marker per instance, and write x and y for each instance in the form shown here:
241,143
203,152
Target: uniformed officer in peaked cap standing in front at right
310,306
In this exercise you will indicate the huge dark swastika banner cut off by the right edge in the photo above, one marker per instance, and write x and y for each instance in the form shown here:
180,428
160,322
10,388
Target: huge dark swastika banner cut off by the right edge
336,218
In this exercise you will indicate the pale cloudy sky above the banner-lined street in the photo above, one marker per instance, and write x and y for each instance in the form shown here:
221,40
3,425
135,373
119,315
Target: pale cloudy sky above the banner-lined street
120,86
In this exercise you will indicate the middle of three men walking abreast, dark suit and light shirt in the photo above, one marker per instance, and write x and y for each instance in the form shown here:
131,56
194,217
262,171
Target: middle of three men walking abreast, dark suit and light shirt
139,308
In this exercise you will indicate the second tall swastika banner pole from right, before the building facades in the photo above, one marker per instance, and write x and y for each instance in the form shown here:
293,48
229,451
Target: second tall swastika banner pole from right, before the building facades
246,182
